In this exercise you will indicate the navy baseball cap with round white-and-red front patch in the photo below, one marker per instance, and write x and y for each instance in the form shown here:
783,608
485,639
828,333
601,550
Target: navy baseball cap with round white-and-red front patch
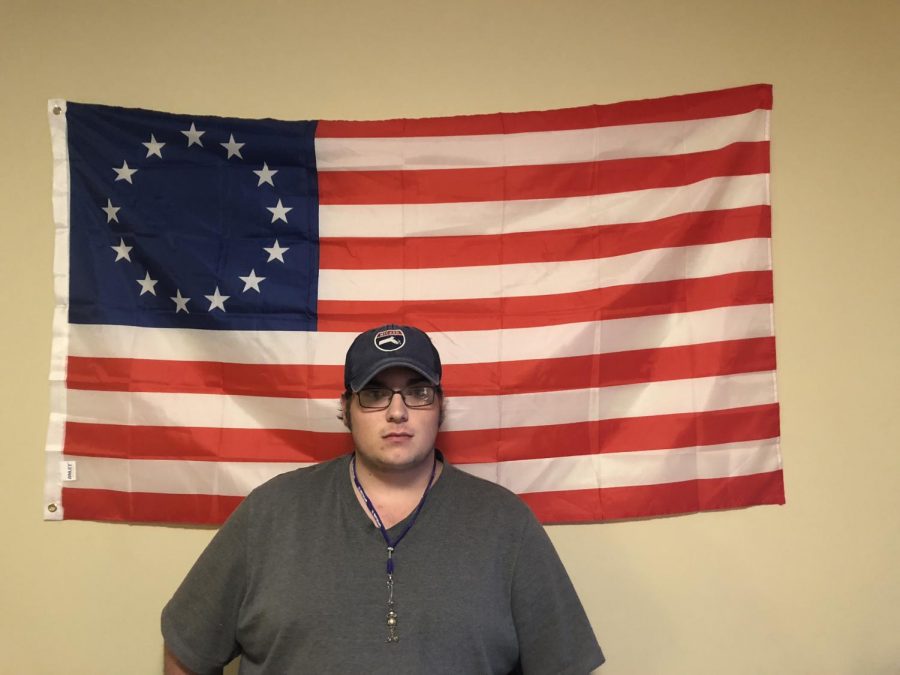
386,346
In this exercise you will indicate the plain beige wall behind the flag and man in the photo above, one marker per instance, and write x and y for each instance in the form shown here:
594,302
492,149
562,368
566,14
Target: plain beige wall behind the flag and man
811,587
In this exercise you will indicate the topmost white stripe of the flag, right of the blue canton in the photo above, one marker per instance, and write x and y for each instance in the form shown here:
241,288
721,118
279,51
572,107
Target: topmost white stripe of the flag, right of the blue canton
540,147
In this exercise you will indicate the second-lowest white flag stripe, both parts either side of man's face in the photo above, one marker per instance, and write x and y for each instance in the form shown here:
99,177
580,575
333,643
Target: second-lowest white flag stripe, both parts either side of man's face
462,412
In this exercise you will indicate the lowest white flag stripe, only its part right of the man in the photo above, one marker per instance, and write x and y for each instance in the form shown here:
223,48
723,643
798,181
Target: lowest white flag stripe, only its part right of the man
649,467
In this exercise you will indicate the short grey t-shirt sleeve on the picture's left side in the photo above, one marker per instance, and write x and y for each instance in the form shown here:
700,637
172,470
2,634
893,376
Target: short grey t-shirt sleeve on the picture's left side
199,623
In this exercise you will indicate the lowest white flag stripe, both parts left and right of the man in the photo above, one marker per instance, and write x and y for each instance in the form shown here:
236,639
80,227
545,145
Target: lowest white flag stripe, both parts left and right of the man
583,472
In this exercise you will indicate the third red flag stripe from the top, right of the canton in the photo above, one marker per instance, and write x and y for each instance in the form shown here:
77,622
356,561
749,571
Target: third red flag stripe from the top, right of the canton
601,241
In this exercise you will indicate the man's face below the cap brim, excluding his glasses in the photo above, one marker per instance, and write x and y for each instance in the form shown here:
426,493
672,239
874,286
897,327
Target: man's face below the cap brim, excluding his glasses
397,438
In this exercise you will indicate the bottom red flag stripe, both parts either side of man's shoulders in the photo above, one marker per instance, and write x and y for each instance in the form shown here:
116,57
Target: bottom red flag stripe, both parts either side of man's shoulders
550,507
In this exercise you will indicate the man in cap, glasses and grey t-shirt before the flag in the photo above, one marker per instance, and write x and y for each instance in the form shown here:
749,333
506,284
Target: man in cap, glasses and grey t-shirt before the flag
389,560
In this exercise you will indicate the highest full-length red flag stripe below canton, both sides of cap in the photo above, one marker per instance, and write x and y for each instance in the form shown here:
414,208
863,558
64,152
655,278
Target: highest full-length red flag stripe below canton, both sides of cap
505,377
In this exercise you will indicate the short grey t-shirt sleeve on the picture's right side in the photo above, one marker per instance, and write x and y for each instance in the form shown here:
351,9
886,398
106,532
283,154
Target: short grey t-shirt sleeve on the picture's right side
553,630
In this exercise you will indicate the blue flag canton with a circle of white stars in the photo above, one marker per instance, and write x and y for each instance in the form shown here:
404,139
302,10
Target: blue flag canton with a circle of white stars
182,221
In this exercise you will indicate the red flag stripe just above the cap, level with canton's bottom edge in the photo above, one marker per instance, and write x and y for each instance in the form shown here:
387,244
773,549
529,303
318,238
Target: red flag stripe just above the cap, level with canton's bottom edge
615,302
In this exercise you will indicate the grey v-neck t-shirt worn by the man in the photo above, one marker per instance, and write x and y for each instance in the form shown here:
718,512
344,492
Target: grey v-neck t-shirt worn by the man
295,581
